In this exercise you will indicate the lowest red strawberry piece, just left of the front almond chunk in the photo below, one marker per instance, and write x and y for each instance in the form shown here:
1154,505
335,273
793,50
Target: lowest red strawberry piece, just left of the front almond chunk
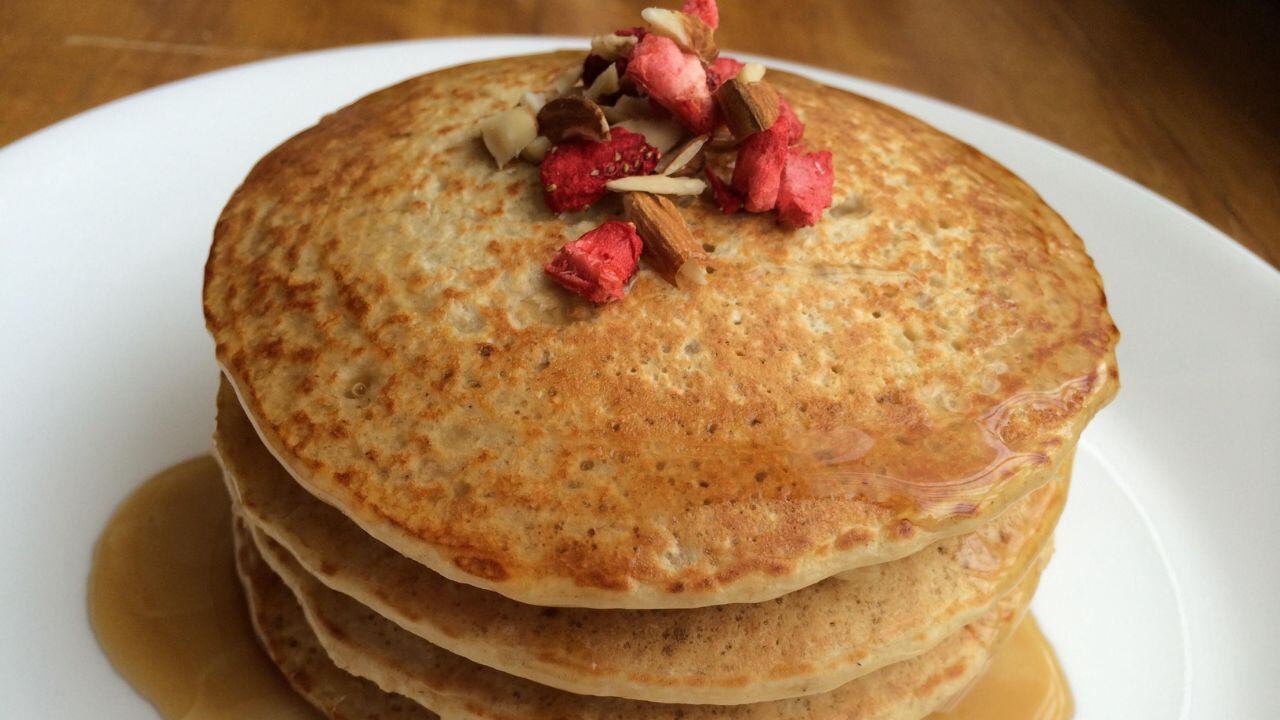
598,265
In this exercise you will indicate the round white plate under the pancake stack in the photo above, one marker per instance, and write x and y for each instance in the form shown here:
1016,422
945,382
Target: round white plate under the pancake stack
1162,600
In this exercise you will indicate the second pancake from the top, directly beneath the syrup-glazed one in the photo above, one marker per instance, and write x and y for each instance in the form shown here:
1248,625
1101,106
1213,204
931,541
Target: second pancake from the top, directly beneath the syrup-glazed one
806,642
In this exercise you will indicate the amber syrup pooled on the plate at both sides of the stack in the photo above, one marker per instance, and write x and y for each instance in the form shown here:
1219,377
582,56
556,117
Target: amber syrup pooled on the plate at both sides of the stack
168,610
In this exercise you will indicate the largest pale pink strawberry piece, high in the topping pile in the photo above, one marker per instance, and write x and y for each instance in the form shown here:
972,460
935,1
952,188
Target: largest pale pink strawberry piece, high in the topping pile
674,80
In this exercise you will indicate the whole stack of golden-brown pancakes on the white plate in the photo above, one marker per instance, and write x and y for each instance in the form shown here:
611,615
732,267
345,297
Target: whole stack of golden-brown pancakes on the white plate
822,485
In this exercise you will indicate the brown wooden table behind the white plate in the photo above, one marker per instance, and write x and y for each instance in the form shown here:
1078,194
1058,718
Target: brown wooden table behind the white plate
1183,99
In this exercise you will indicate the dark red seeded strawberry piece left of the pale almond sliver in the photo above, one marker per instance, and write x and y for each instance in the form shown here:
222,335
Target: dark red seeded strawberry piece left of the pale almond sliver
574,174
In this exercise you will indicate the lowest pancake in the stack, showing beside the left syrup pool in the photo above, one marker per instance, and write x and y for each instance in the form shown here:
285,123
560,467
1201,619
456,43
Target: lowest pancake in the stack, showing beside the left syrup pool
294,648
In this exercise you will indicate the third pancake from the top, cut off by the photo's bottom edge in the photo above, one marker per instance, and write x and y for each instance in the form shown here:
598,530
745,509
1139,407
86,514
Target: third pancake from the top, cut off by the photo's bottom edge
367,645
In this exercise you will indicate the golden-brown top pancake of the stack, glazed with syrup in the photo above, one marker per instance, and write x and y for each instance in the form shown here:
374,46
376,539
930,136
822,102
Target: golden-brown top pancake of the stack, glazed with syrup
834,398
